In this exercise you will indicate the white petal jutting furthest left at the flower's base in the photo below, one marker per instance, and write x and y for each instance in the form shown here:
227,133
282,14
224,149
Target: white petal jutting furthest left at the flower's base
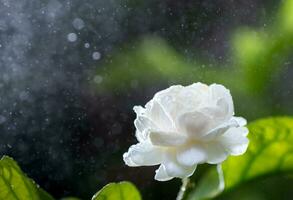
143,154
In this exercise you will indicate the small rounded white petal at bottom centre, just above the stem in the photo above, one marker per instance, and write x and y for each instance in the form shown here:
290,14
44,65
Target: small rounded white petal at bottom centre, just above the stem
191,156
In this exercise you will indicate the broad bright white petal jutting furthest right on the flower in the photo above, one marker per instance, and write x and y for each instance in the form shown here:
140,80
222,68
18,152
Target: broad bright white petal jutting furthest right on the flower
235,141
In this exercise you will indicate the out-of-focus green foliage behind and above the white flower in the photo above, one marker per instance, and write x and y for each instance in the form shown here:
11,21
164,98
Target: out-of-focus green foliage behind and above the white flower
258,57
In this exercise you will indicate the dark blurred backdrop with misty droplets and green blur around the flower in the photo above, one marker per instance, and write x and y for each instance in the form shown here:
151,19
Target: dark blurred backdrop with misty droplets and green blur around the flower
71,71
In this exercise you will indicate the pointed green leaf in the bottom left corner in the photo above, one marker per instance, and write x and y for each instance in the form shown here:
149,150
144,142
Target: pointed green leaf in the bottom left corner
15,185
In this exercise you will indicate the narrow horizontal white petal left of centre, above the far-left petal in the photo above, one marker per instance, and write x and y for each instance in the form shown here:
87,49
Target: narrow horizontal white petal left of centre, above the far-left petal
161,138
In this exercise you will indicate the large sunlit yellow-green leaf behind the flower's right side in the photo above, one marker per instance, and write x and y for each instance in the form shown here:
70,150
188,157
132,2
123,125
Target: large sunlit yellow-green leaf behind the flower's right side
270,152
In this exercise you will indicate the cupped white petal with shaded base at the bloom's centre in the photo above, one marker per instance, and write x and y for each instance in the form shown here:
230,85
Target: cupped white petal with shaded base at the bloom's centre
195,124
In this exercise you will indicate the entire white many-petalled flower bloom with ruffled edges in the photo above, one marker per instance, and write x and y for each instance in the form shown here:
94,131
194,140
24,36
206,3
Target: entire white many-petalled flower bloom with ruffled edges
182,127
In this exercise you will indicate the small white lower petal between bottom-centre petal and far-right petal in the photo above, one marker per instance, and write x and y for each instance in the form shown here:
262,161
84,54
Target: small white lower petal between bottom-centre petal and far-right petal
216,153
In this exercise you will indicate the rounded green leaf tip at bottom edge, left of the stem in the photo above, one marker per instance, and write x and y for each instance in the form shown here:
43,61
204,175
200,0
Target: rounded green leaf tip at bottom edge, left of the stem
118,191
